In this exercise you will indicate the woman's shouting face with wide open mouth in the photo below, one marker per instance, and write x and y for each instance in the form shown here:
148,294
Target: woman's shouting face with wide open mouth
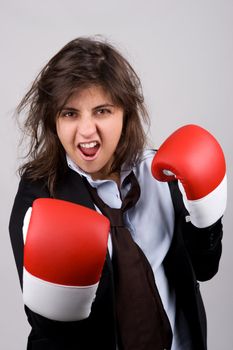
89,128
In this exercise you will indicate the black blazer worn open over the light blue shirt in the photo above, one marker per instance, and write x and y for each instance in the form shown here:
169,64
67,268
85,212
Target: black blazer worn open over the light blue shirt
194,255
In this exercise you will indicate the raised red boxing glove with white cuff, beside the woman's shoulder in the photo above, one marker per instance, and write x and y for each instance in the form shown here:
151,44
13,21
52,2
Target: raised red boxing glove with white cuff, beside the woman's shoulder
194,157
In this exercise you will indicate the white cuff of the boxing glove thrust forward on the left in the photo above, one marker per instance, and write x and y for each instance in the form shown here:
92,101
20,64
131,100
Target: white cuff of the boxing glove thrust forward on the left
57,302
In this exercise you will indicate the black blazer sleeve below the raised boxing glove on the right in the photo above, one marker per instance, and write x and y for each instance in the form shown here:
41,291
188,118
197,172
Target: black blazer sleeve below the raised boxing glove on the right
204,246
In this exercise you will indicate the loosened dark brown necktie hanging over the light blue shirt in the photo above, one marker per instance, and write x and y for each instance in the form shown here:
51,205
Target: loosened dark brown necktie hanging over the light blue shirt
142,321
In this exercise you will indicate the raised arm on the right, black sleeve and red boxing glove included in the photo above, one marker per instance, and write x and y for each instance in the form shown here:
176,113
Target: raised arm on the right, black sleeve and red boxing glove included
193,157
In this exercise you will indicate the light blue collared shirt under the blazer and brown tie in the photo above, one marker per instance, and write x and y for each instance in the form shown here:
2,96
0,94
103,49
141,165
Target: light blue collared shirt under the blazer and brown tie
151,223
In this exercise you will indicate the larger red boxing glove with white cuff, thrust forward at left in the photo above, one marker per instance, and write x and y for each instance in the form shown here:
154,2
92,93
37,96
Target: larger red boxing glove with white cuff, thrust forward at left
64,253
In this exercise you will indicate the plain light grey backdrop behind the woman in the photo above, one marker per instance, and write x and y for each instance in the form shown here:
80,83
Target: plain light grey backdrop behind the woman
183,52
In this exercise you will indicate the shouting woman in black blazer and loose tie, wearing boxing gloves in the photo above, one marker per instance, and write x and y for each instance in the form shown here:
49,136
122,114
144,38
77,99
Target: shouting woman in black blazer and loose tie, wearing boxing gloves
85,120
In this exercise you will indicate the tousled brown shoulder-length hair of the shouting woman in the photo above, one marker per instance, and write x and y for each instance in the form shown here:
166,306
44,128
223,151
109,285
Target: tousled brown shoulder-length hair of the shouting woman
79,64
